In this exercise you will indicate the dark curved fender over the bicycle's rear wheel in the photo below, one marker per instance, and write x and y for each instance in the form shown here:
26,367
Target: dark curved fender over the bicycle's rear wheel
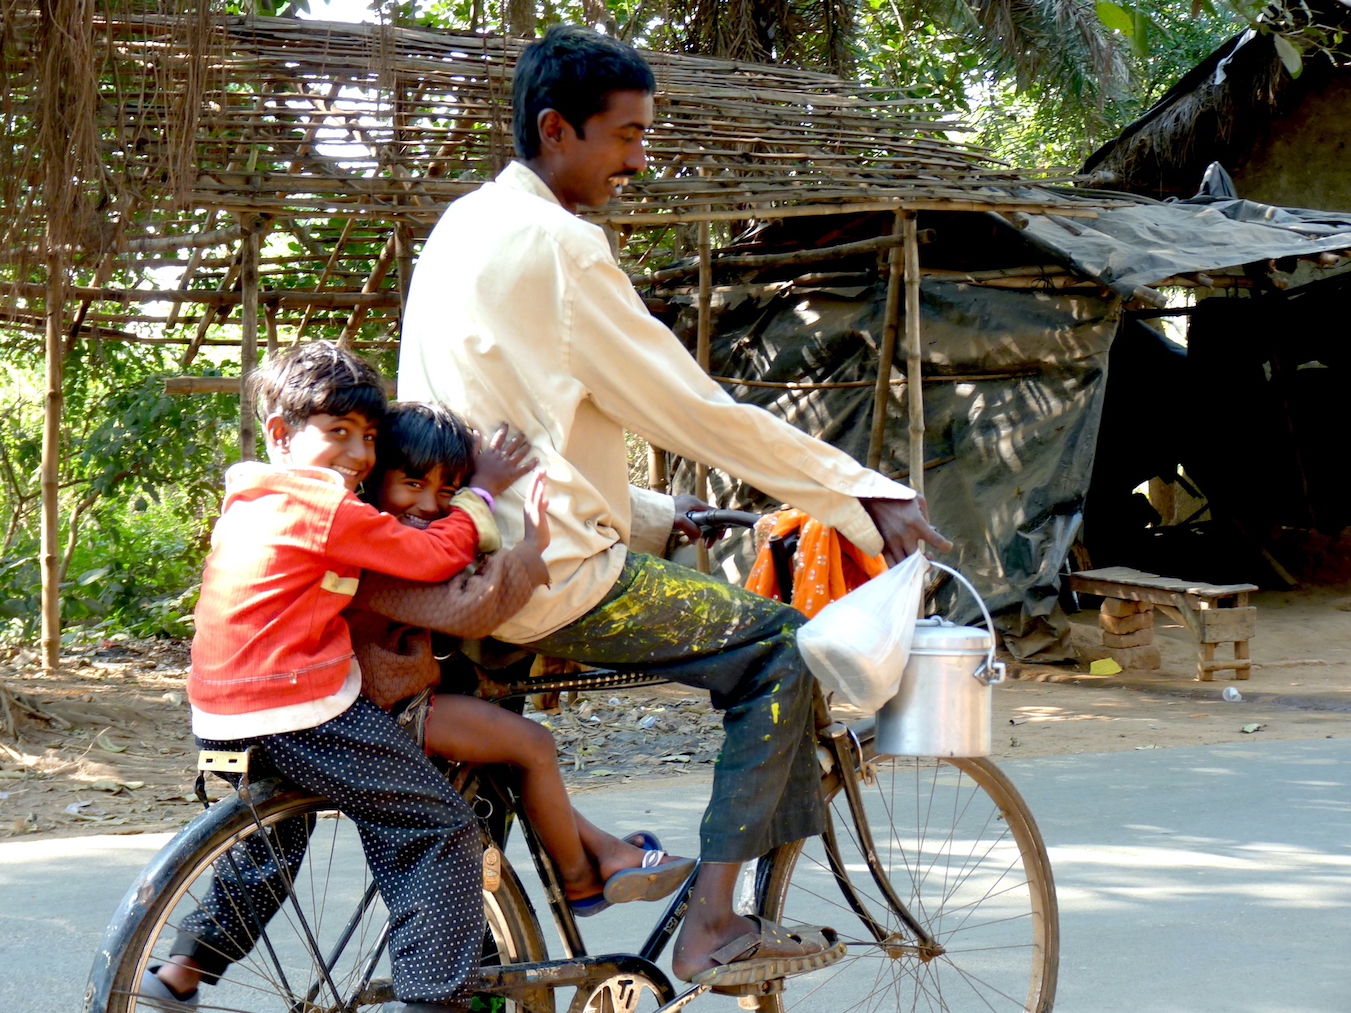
156,879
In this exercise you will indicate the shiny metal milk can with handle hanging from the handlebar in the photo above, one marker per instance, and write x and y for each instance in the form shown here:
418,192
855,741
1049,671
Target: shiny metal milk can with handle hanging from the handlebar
945,703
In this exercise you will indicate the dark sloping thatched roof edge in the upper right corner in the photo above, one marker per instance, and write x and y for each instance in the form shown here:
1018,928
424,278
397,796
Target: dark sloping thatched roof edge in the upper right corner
1214,114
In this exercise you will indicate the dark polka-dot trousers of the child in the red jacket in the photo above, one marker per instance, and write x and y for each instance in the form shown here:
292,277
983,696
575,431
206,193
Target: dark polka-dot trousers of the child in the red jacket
422,843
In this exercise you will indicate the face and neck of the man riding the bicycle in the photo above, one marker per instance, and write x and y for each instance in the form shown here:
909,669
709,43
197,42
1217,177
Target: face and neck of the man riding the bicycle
594,168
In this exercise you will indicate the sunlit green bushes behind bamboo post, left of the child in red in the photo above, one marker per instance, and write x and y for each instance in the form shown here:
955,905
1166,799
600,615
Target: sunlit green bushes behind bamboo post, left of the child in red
140,488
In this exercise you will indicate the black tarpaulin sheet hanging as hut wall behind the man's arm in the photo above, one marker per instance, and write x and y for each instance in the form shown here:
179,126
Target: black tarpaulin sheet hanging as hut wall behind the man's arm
1013,396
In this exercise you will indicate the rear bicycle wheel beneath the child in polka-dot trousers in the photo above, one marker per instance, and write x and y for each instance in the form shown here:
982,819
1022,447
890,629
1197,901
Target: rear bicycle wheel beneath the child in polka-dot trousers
282,970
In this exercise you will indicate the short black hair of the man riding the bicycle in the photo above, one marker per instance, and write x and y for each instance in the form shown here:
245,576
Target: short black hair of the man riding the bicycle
572,71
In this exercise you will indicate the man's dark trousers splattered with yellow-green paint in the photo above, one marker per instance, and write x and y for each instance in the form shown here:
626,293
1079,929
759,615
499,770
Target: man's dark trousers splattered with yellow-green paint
669,621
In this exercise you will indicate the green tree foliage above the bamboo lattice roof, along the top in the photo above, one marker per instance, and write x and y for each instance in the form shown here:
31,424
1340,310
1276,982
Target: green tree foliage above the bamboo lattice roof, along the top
1044,84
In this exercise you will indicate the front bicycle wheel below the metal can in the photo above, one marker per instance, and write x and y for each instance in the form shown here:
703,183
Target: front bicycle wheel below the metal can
971,866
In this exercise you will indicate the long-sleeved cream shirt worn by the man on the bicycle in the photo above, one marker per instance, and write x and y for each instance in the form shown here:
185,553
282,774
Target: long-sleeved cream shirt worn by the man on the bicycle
518,313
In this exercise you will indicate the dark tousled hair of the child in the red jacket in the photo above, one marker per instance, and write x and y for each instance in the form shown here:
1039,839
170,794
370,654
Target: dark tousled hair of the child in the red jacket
320,379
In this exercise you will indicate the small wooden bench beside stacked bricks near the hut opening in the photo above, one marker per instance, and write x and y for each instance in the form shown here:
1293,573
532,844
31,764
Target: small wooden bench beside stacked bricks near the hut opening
1218,614
